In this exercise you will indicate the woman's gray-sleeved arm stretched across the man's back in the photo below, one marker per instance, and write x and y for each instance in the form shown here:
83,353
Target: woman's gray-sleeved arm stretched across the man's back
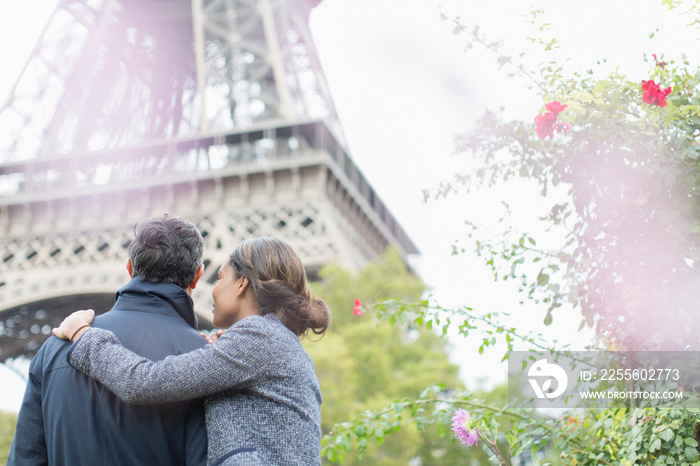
240,355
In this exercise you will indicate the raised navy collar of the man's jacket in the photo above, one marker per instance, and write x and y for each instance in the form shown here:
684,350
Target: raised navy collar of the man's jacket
163,295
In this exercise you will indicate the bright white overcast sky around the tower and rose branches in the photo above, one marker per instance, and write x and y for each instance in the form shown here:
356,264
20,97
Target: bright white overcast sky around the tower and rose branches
403,86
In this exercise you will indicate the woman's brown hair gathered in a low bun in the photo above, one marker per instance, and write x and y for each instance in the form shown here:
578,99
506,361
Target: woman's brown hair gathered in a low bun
278,279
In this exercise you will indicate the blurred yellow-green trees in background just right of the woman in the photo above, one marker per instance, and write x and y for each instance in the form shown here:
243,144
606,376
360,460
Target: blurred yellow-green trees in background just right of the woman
364,365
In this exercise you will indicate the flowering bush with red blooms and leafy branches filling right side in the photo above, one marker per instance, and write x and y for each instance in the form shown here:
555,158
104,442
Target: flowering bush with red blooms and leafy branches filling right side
622,155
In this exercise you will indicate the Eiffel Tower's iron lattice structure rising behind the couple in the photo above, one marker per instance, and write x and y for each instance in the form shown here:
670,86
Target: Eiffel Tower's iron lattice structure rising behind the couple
215,110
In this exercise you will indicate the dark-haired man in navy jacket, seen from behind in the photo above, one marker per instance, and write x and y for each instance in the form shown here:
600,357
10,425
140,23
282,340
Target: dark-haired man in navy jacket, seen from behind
67,418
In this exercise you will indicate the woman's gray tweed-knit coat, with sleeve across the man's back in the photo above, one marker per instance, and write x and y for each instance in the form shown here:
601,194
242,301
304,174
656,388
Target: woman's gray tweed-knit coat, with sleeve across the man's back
265,401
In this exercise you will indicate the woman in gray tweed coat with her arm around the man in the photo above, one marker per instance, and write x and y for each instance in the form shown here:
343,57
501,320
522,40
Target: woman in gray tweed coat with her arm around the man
264,398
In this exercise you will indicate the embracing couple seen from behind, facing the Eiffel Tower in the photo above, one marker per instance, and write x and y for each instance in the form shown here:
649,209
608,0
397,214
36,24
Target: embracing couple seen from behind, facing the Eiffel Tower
263,397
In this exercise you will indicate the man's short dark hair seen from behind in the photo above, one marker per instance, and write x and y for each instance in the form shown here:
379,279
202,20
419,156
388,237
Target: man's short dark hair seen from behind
166,249
